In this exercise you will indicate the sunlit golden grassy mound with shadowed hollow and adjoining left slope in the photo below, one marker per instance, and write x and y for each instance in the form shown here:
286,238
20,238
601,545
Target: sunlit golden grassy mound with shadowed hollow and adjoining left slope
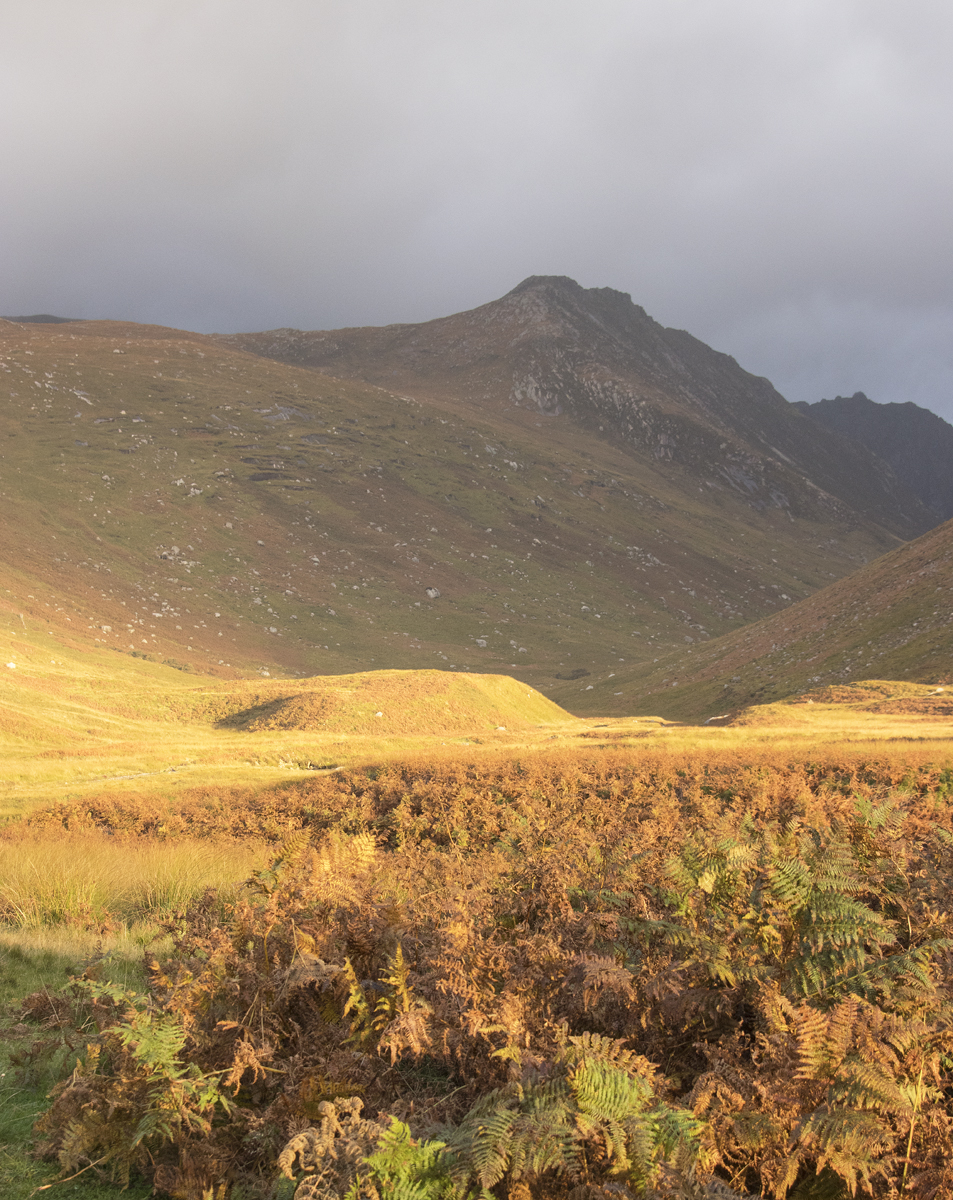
79,722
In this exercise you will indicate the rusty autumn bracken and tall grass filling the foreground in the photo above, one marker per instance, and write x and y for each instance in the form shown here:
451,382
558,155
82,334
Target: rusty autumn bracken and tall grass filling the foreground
609,963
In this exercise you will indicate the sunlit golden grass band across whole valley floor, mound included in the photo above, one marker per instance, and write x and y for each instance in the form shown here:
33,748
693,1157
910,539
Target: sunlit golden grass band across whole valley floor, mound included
79,724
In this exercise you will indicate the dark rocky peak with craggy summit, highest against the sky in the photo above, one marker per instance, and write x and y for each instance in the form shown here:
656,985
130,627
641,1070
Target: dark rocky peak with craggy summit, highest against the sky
592,357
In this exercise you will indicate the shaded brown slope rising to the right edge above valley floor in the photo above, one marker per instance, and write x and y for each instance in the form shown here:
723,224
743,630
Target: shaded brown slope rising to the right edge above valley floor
891,620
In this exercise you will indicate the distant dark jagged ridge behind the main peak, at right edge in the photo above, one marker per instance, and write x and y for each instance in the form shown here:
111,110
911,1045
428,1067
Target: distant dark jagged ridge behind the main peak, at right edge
918,443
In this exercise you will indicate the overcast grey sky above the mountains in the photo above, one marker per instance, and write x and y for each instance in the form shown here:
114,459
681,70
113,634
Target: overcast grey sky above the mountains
774,177
